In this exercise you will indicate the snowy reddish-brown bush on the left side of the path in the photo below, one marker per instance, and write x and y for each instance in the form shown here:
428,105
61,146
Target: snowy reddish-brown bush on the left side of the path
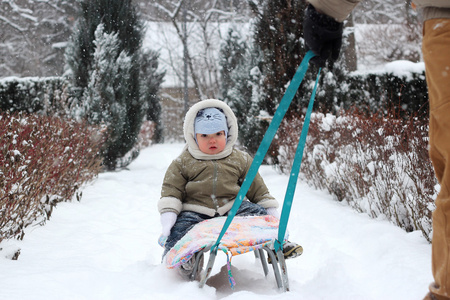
43,161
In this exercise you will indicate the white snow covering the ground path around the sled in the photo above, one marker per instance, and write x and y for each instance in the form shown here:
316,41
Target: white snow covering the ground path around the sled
105,247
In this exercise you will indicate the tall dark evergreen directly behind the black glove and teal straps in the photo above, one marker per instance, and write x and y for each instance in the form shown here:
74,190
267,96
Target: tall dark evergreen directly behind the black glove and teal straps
279,33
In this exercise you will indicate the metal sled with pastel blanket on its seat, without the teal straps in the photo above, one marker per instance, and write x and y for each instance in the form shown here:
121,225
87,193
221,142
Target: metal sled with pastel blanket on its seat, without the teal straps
245,234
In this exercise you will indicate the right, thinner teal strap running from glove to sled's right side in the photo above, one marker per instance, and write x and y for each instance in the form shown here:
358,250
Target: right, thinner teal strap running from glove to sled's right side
287,204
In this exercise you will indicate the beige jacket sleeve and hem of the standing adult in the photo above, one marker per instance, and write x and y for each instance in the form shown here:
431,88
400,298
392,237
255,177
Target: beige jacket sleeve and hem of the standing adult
340,9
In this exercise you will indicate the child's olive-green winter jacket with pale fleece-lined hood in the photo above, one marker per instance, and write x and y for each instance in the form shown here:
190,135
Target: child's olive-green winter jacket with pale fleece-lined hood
208,184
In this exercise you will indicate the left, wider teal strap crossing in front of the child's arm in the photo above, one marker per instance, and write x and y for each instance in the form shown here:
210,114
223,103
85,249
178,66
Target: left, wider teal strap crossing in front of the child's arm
265,143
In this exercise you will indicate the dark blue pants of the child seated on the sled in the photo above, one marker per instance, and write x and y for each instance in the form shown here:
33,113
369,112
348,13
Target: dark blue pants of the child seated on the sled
188,219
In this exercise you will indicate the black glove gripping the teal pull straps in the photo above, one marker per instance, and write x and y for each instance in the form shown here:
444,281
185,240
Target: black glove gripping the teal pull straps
323,35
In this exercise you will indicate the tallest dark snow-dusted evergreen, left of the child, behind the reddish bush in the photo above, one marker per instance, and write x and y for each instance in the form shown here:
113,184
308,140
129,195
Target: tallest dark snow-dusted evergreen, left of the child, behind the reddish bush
119,18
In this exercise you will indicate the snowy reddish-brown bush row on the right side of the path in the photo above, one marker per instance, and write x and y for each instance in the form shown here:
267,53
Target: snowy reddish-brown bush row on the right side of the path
378,165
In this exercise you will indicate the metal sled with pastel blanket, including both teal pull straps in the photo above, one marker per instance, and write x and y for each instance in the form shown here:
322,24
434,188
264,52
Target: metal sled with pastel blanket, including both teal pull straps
272,243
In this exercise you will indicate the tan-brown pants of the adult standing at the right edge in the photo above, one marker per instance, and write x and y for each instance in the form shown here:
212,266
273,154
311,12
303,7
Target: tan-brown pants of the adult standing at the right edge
436,54
